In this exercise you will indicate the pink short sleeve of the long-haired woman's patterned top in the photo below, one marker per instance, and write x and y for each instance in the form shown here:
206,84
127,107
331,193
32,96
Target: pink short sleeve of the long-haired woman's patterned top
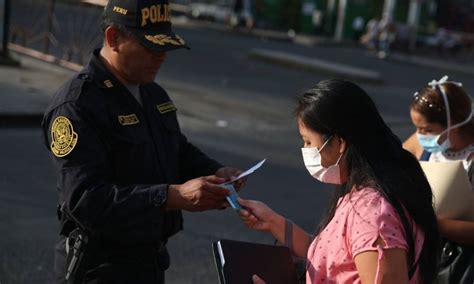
372,216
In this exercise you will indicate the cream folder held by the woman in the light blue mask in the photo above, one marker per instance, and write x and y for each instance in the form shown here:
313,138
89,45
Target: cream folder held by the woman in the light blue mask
452,194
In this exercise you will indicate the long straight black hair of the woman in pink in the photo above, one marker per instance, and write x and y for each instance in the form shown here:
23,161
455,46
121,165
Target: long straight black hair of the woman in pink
374,158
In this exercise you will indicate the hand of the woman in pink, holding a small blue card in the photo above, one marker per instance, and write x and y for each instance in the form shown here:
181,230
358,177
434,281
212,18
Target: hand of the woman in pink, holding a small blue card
258,216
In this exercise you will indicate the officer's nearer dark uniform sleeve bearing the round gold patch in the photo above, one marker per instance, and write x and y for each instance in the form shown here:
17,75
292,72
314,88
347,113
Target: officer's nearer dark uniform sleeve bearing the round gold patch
84,175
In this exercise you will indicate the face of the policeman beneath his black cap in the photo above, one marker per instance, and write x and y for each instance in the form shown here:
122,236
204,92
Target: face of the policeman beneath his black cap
138,65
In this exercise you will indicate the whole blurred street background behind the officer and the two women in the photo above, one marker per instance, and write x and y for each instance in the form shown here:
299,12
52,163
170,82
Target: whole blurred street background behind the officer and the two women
235,92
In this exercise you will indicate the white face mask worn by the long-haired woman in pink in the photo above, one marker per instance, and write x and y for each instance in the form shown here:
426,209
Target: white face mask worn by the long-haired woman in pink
312,161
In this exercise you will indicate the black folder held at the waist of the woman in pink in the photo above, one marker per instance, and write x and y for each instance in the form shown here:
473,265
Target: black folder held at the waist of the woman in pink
236,262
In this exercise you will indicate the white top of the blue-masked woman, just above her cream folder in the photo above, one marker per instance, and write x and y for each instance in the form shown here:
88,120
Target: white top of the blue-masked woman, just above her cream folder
466,155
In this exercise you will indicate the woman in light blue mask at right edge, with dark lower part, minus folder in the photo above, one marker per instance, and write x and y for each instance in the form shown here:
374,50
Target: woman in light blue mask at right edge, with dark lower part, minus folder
442,115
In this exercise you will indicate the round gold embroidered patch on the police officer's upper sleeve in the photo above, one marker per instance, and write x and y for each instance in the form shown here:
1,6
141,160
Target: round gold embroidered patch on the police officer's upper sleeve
63,137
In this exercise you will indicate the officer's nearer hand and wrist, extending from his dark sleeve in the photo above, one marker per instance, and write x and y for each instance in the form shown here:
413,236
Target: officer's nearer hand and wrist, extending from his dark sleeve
197,194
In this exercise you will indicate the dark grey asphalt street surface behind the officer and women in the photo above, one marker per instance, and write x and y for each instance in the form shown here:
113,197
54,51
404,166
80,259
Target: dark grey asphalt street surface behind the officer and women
236,108
